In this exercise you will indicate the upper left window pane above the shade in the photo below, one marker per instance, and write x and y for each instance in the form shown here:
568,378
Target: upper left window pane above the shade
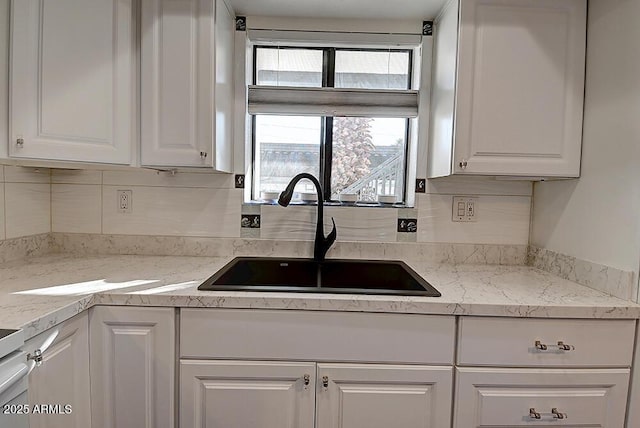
289,67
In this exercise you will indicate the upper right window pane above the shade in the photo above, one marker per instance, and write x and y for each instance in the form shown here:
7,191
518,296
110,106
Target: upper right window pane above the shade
372,69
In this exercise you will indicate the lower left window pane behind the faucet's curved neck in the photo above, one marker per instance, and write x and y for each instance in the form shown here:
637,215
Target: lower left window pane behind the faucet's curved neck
285,147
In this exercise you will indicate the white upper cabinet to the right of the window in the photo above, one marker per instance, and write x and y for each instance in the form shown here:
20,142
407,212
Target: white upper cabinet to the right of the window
508,88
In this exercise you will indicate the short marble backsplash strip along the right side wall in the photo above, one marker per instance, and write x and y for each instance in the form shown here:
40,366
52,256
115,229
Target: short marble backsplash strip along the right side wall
609,280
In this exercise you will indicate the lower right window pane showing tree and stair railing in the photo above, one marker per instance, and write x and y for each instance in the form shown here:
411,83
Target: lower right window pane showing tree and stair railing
368,157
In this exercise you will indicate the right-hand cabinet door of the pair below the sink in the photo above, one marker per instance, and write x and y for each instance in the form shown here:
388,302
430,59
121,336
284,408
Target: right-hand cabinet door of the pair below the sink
382,396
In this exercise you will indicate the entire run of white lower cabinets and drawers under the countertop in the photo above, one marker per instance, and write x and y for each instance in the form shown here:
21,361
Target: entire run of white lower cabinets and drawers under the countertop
311,369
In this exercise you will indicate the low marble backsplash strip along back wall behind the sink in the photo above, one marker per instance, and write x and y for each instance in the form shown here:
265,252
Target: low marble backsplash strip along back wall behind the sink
429,253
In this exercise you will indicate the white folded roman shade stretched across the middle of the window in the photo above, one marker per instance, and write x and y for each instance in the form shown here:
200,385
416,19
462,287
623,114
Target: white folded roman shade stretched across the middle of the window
332,102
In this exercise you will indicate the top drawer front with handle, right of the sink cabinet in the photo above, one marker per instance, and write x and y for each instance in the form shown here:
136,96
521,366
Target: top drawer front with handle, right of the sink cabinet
512,342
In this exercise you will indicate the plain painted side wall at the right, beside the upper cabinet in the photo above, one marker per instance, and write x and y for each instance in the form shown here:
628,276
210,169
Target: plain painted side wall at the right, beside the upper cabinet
597,218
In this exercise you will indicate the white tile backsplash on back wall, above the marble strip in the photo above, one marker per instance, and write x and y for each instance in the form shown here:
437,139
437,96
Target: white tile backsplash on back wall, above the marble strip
208,205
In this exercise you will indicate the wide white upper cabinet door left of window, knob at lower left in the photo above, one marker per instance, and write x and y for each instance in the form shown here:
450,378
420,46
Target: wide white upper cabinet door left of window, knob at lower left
72,90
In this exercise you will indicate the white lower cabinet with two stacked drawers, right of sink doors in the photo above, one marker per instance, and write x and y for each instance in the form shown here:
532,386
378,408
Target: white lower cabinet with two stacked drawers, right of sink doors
546,372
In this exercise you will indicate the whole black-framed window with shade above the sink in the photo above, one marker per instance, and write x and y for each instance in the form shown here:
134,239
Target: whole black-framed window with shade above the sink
341,114
